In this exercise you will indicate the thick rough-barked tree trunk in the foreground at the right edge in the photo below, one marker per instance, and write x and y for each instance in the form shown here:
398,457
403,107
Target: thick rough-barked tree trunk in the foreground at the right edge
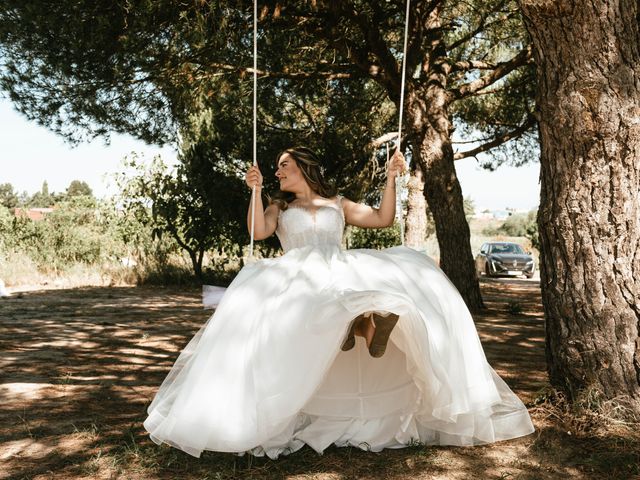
588,59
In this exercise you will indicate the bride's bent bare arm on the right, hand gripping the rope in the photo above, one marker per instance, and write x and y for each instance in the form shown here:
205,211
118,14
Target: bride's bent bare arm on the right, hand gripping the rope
365,216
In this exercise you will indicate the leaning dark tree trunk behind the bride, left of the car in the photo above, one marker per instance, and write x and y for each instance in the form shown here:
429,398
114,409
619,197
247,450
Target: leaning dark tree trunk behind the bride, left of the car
430,126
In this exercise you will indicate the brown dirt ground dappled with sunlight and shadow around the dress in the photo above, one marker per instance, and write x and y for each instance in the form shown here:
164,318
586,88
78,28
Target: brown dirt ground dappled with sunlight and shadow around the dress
80,366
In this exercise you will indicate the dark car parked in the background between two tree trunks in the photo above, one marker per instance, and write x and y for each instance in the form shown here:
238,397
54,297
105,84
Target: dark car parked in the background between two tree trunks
504,258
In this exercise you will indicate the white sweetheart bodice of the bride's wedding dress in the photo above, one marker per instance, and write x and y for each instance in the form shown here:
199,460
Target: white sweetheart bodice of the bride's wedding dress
300,226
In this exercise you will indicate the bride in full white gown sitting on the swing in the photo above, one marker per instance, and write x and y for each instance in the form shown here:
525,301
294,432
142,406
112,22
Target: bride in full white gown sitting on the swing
373,349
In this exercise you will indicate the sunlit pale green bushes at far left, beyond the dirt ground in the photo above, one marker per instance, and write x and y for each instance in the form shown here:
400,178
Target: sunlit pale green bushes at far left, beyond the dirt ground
85,234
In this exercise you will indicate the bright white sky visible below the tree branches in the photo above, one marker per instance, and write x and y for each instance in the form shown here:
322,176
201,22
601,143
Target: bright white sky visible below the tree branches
31,154
